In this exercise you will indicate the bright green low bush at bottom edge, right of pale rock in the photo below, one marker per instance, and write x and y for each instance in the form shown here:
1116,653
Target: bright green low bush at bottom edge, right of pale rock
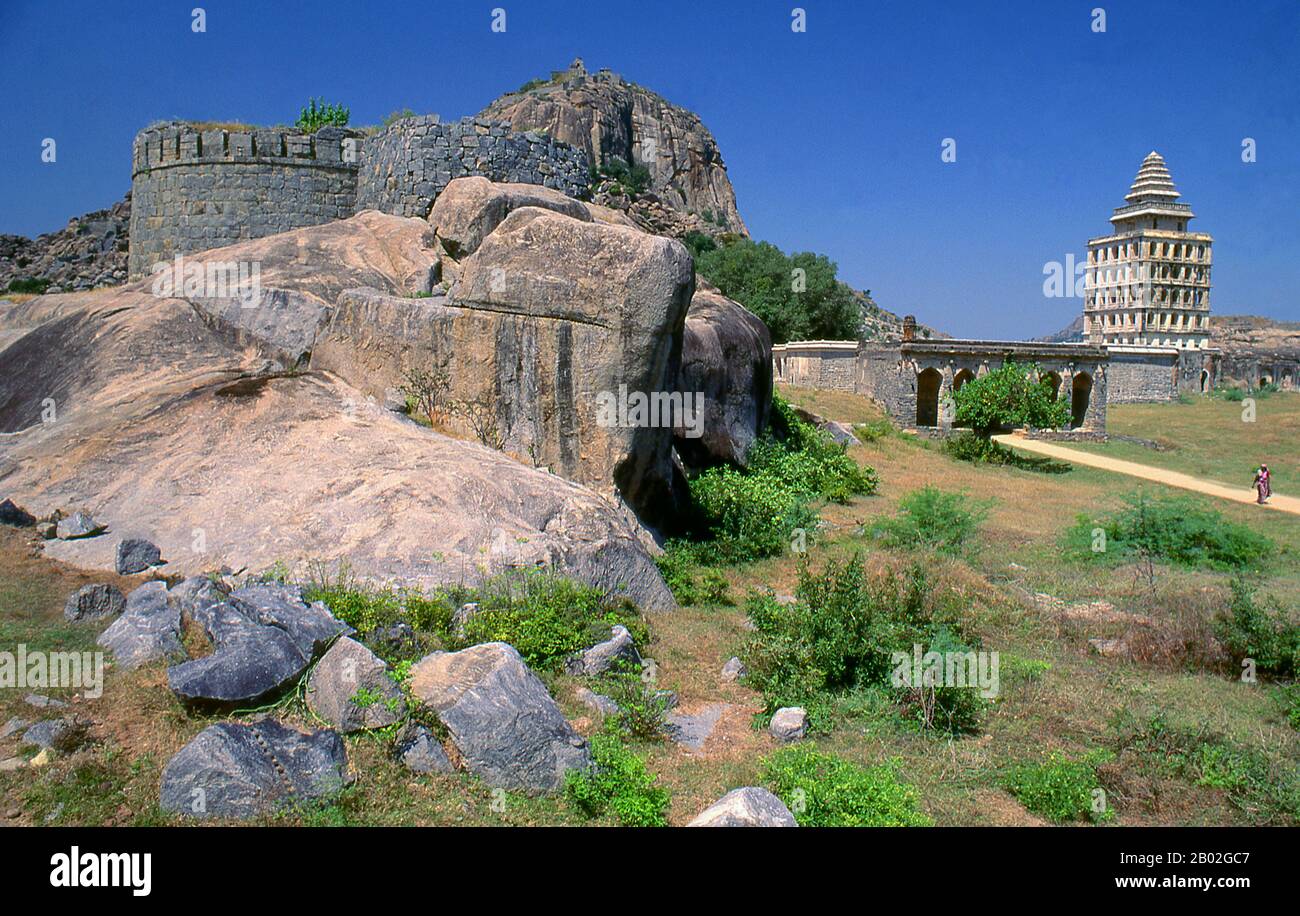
825,791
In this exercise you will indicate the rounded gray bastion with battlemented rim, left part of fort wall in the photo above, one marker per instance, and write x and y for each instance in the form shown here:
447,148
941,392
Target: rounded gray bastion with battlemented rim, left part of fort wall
193,189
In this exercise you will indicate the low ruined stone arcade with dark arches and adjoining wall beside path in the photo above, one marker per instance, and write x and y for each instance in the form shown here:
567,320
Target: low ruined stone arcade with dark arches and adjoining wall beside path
915,380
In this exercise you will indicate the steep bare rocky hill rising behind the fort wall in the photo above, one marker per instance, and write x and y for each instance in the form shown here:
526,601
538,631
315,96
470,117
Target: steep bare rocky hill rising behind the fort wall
613,119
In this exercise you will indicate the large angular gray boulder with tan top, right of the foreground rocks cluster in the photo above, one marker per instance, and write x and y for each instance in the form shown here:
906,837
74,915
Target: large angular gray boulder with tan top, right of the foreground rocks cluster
506,726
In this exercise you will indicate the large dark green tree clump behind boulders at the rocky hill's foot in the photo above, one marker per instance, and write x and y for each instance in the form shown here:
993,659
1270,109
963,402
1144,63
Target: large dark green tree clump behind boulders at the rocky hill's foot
762,279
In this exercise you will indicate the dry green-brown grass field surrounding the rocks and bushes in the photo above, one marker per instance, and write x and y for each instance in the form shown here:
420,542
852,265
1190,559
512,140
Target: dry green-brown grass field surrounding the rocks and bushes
1059,694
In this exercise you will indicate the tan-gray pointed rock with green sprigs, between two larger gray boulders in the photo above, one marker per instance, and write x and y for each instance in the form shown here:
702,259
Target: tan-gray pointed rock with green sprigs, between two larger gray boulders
345,672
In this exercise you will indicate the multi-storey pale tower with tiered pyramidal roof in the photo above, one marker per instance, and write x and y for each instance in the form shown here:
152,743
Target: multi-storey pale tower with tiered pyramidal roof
1149,283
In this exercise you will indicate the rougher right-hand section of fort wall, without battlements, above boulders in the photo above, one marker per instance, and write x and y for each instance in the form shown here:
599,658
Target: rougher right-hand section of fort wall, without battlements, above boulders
408,166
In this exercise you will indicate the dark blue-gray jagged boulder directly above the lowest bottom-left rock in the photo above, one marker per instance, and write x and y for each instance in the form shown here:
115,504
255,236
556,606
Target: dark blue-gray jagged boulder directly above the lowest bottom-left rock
265,639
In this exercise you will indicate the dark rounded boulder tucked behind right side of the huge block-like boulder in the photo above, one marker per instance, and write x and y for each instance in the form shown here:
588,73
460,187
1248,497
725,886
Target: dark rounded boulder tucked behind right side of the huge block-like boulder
726,361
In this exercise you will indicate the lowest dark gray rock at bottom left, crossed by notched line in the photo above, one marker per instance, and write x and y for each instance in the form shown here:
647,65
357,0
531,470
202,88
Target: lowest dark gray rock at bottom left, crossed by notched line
233,770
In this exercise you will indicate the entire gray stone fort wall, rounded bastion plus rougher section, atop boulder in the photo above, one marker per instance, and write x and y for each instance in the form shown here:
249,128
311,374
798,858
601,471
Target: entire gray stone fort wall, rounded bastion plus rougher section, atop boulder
196,189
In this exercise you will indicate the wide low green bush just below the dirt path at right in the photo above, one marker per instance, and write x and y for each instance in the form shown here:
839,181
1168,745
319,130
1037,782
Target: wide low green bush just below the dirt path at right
1172,528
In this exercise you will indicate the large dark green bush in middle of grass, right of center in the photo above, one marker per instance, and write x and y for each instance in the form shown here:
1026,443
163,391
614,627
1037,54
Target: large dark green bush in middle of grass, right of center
839,637
